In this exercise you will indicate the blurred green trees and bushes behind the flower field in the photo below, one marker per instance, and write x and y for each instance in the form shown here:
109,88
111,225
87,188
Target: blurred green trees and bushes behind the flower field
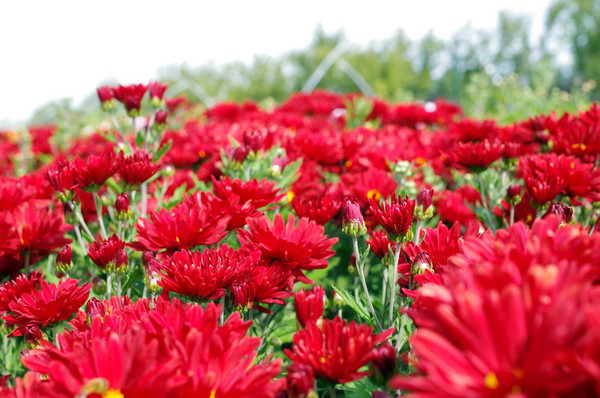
500,73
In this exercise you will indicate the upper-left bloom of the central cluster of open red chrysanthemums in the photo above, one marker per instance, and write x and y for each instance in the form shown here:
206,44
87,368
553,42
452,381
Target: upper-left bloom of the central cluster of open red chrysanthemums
182,227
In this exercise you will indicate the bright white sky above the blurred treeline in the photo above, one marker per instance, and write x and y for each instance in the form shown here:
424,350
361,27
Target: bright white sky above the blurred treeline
58,49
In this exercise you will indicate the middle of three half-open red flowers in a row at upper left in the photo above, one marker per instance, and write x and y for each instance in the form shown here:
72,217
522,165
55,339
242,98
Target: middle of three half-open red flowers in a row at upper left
92,173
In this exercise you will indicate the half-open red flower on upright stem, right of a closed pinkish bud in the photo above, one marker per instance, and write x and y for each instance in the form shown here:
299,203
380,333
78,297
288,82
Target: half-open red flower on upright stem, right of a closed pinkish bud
395,216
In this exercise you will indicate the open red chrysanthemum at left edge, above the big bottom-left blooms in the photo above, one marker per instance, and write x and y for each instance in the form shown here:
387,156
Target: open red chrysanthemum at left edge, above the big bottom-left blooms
46,305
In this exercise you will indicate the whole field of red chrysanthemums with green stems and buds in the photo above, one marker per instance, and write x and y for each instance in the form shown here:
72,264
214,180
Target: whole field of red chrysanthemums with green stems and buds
334,245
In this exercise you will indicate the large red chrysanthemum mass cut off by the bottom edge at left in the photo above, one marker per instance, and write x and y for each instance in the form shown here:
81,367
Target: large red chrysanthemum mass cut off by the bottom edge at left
169,351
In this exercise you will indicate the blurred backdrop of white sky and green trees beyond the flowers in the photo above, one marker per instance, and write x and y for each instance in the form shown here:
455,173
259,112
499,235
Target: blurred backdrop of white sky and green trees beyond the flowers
507,59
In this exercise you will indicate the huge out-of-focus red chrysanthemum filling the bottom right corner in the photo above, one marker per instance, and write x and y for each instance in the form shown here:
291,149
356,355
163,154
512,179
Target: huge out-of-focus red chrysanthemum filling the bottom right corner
511,318
